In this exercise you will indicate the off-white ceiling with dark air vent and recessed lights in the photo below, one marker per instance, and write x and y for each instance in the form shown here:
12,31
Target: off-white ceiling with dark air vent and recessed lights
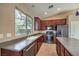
41,9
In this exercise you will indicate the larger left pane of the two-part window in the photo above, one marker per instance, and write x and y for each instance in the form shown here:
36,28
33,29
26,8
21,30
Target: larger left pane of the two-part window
20,22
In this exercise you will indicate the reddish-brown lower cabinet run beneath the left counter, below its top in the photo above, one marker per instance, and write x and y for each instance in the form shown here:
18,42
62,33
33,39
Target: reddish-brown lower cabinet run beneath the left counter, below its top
31,50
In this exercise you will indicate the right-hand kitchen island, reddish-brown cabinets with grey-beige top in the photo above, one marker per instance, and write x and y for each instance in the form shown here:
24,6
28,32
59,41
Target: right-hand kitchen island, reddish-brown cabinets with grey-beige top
67,46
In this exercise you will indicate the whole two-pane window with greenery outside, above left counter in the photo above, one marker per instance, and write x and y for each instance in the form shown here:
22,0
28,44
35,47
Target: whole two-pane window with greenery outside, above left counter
23,23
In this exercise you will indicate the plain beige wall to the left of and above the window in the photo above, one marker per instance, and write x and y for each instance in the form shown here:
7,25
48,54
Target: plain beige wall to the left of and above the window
7,19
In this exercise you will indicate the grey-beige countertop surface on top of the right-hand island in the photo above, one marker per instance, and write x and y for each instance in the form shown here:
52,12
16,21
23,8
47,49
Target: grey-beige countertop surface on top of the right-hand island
71,44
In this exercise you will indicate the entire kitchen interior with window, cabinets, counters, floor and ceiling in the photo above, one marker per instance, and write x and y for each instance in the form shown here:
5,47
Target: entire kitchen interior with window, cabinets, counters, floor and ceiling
29,29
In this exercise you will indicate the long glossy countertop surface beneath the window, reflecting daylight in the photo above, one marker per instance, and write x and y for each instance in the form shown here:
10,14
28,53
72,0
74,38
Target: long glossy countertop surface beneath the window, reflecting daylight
18,46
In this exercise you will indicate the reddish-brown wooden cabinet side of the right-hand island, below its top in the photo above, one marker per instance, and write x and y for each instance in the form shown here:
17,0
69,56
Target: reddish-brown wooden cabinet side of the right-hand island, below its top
61,50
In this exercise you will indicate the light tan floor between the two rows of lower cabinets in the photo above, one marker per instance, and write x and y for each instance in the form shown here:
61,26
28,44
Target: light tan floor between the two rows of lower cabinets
47,50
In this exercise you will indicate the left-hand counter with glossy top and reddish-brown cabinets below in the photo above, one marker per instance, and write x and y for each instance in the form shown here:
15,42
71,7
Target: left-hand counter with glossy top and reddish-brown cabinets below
28,46
